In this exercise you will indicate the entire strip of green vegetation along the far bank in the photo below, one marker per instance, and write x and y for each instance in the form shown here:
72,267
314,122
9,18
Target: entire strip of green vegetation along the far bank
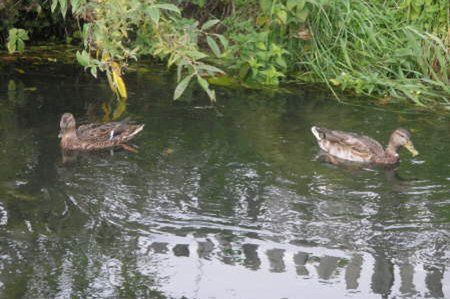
389,50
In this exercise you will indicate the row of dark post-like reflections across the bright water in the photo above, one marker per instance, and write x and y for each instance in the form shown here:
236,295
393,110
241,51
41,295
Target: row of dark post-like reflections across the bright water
338,270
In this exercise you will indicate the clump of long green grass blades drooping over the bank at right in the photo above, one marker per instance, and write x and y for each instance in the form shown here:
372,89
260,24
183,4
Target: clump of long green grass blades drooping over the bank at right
367,50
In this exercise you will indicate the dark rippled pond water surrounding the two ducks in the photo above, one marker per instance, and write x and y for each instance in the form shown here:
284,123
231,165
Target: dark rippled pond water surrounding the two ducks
217,203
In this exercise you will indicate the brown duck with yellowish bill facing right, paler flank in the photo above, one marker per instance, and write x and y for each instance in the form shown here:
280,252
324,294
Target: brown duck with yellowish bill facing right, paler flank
360,148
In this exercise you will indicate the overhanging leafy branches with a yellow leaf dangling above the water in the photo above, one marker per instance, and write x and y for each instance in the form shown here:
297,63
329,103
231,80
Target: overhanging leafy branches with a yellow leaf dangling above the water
124,30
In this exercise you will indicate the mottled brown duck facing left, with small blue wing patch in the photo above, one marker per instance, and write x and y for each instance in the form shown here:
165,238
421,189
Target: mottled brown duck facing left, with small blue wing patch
95,136
